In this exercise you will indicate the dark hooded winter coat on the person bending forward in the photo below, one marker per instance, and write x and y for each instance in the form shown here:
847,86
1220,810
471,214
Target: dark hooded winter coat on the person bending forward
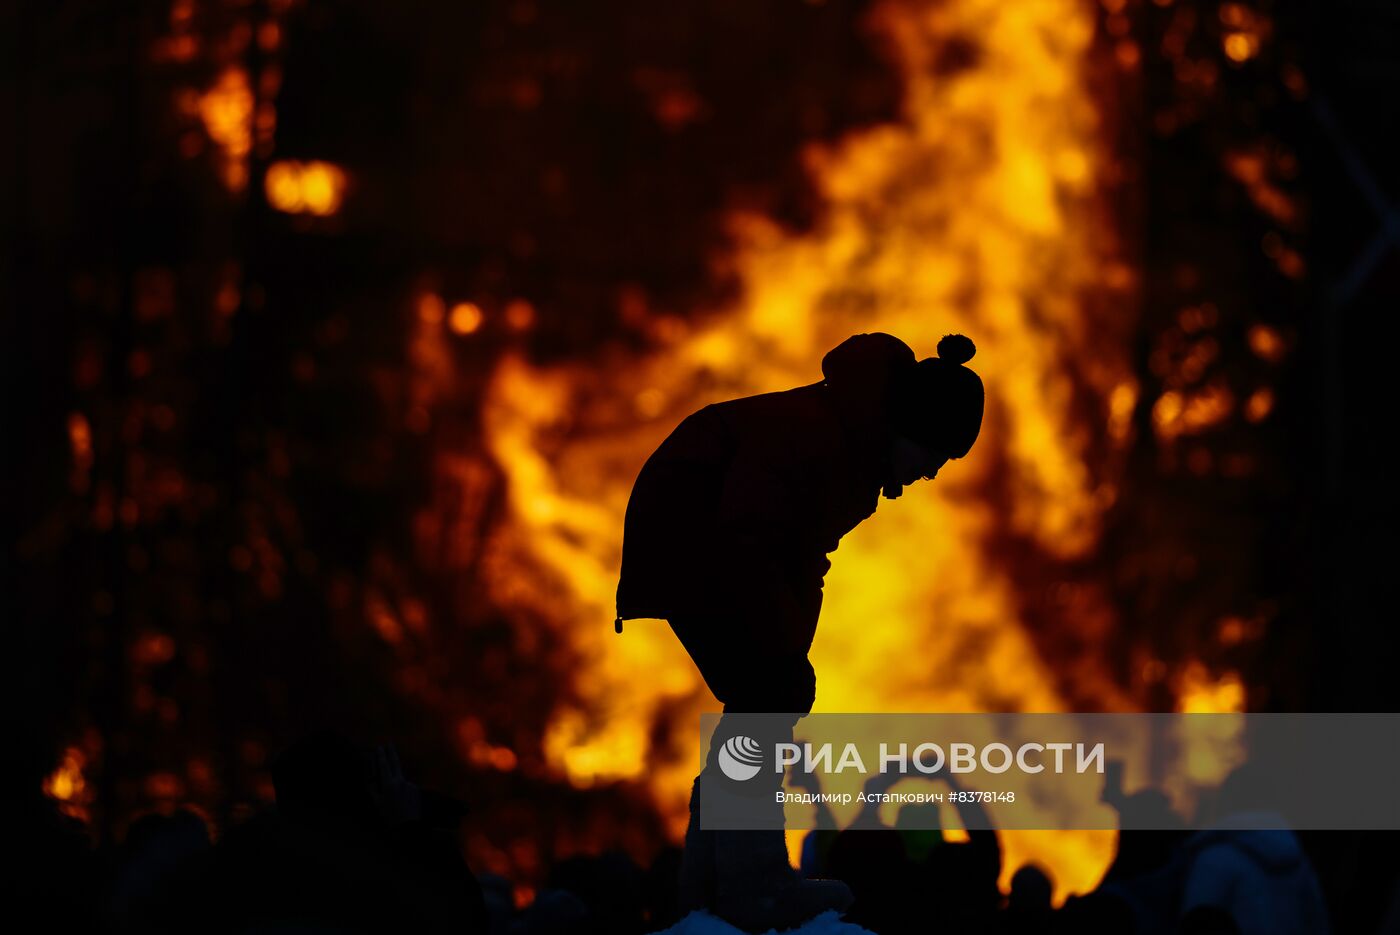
733,517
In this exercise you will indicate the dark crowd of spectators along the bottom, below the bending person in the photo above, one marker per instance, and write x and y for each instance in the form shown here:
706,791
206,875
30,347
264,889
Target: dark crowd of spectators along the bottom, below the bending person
355,846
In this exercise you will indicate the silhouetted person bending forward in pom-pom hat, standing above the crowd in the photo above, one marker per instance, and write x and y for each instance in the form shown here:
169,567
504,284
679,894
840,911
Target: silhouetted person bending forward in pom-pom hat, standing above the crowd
727,535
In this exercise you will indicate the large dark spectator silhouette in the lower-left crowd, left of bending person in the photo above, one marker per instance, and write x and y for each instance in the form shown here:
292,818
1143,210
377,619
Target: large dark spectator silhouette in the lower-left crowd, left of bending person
352,846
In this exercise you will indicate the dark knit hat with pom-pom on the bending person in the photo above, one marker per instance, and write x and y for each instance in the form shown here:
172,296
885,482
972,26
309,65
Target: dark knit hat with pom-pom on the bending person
940,404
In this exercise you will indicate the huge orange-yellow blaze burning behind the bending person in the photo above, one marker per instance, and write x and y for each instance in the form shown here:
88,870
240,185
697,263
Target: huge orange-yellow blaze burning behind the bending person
979,212
